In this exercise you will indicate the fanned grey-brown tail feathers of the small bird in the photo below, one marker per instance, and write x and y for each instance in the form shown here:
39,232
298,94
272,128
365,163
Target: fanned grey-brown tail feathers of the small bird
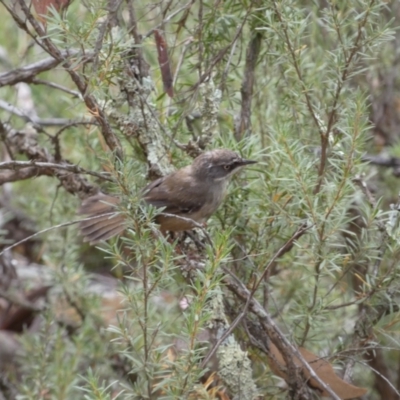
105,219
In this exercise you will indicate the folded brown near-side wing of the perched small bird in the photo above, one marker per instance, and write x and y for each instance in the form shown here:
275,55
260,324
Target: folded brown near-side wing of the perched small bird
178,195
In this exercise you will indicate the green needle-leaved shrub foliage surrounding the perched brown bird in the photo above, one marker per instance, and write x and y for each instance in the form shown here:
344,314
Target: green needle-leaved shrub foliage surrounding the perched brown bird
310,127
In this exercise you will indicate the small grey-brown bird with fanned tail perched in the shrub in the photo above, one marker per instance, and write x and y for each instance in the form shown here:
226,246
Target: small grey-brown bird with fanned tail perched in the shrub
193,193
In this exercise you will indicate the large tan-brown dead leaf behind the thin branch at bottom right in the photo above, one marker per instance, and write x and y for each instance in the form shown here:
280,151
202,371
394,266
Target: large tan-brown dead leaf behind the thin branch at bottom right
322,368
